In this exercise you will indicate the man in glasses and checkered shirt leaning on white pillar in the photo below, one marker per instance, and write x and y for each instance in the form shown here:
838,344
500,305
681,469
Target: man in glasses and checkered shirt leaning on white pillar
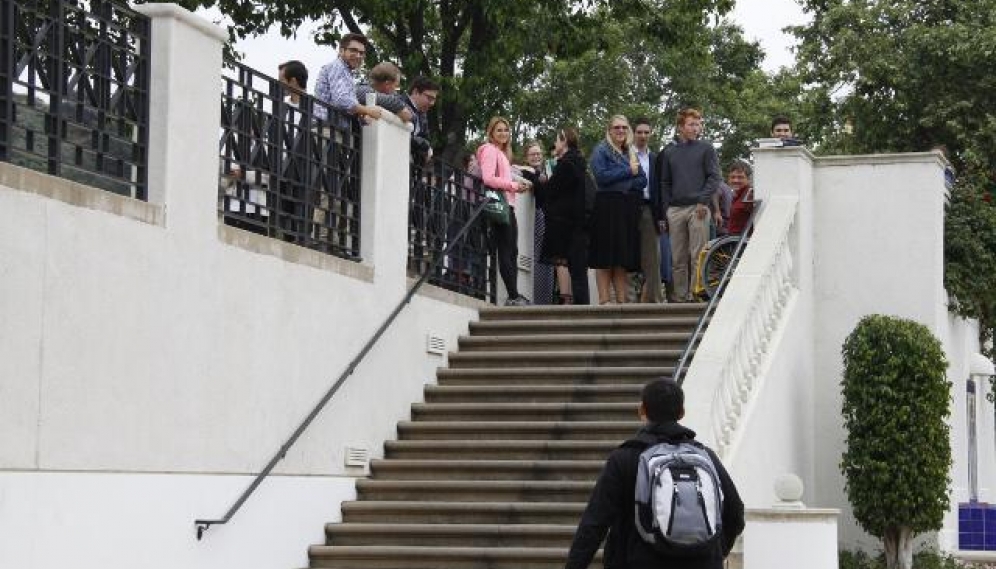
335,84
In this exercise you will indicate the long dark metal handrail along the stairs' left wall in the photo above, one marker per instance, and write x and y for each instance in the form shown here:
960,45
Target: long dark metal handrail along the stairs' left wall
204,525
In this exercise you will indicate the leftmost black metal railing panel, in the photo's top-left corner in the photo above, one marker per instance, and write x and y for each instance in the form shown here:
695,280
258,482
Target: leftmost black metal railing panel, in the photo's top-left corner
74,91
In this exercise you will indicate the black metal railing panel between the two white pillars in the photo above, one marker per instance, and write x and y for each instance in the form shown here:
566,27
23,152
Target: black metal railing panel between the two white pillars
289,168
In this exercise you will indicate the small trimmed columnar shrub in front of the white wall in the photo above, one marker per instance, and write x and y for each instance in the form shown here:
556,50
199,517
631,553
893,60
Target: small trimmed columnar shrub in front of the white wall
898,454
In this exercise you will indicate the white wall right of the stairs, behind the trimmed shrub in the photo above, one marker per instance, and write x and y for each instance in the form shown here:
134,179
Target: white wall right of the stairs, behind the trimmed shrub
868,238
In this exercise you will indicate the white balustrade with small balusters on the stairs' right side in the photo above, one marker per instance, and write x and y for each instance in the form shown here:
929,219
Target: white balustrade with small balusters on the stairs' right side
765,282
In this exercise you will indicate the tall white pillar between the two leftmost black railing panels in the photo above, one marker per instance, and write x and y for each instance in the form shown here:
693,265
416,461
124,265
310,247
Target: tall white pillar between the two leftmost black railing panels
184,118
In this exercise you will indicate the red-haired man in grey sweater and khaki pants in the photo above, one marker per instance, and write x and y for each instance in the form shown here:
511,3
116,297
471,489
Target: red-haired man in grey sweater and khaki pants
689,175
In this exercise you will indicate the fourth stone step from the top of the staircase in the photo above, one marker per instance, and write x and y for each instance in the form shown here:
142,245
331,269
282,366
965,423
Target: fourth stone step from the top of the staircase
574,359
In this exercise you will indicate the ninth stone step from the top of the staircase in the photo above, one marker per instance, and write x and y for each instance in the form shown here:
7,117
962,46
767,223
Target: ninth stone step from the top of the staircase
500,450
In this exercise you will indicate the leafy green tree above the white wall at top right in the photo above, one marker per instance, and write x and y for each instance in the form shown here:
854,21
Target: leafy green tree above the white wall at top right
900,75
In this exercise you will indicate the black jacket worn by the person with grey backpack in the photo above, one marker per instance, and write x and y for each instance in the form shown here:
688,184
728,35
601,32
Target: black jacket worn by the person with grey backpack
611,506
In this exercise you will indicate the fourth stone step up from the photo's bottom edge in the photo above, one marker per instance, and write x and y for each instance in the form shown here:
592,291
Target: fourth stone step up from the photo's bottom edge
474,490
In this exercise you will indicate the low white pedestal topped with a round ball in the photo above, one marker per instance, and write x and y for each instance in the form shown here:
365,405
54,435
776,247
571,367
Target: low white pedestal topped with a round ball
789,535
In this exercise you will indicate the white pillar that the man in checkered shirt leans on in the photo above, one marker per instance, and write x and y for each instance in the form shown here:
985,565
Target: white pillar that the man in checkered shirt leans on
384,189
